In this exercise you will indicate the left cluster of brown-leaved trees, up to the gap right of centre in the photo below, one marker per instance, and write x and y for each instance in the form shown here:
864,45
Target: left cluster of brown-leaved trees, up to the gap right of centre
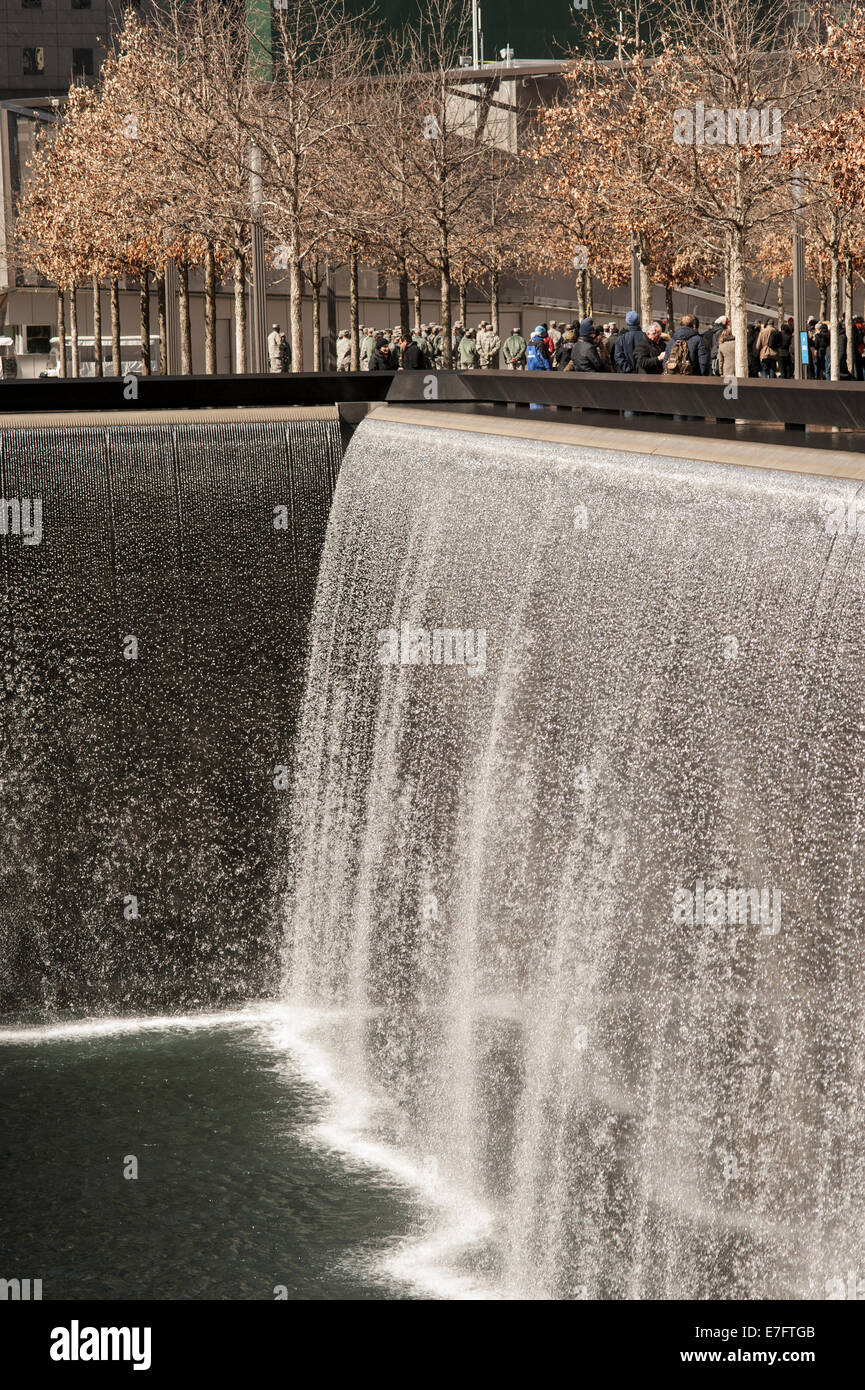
362,161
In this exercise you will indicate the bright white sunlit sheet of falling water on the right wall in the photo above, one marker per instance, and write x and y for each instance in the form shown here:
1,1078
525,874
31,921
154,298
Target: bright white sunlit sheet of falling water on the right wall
578,864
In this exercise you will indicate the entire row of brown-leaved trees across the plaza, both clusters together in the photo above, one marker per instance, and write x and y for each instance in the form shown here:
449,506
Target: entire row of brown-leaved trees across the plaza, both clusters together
371,152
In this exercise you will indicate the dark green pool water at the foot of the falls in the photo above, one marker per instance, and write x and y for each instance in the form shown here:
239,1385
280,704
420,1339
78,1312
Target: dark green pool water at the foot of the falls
232,1197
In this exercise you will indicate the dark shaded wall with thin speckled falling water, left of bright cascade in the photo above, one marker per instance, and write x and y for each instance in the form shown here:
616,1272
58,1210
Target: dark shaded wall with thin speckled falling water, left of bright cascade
154,647
